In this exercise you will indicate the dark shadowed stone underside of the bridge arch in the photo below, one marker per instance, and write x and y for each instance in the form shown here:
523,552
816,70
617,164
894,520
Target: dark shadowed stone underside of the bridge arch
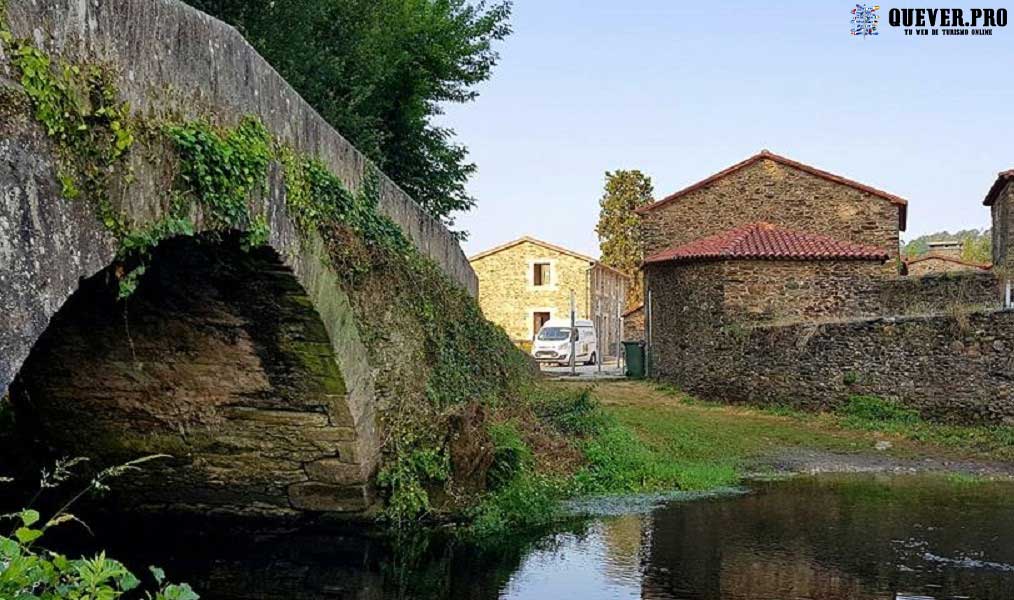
221,360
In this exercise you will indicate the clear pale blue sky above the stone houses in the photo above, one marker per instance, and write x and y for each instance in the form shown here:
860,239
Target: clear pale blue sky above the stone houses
681,91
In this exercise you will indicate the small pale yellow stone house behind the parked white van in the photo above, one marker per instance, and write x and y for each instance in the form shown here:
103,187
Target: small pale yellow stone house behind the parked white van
527,282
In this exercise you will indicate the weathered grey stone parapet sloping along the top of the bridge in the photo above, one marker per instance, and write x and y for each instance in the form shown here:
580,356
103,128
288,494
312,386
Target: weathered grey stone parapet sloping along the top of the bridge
174,59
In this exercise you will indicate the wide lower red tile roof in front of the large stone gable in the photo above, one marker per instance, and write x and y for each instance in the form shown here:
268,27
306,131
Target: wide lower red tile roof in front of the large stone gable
767,242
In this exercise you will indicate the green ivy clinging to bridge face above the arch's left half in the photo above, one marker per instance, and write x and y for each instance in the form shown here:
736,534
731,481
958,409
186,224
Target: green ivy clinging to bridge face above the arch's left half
94,131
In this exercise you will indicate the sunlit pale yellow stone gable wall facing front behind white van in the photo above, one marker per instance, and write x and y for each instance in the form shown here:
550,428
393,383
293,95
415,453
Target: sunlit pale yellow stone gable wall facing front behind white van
509,296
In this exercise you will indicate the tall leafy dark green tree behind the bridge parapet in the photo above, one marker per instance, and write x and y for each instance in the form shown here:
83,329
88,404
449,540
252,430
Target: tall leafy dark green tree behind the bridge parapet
380,71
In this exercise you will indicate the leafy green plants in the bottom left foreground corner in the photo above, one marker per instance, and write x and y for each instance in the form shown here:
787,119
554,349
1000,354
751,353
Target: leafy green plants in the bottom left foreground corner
29,572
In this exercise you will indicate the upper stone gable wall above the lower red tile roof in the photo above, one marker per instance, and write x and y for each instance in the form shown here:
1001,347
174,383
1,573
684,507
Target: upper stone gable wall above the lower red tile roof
769,191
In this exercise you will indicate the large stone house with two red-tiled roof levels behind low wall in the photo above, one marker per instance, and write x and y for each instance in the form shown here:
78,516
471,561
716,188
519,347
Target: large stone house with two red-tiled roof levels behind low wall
777,240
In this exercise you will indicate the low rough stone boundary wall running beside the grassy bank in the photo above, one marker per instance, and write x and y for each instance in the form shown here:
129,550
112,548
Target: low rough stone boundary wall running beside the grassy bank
955,368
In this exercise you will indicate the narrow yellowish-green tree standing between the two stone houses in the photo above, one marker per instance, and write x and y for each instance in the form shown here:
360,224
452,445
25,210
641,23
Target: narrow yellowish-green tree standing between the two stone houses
619,228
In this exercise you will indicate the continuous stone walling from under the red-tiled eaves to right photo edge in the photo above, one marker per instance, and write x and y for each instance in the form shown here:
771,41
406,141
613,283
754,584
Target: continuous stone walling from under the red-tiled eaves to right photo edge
799,333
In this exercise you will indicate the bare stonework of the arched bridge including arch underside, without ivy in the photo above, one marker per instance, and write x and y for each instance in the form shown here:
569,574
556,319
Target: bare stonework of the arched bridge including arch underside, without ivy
278,418
